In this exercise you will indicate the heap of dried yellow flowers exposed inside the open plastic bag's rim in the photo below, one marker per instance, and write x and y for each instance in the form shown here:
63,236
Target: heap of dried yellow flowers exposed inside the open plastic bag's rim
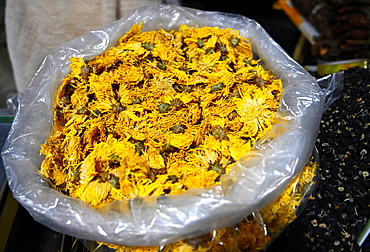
160,113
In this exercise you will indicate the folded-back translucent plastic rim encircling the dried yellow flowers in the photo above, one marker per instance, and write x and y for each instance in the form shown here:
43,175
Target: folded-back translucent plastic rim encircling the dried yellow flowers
254,182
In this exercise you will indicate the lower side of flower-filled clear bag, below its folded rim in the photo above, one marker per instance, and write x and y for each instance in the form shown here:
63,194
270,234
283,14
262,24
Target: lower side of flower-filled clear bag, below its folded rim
255,232
